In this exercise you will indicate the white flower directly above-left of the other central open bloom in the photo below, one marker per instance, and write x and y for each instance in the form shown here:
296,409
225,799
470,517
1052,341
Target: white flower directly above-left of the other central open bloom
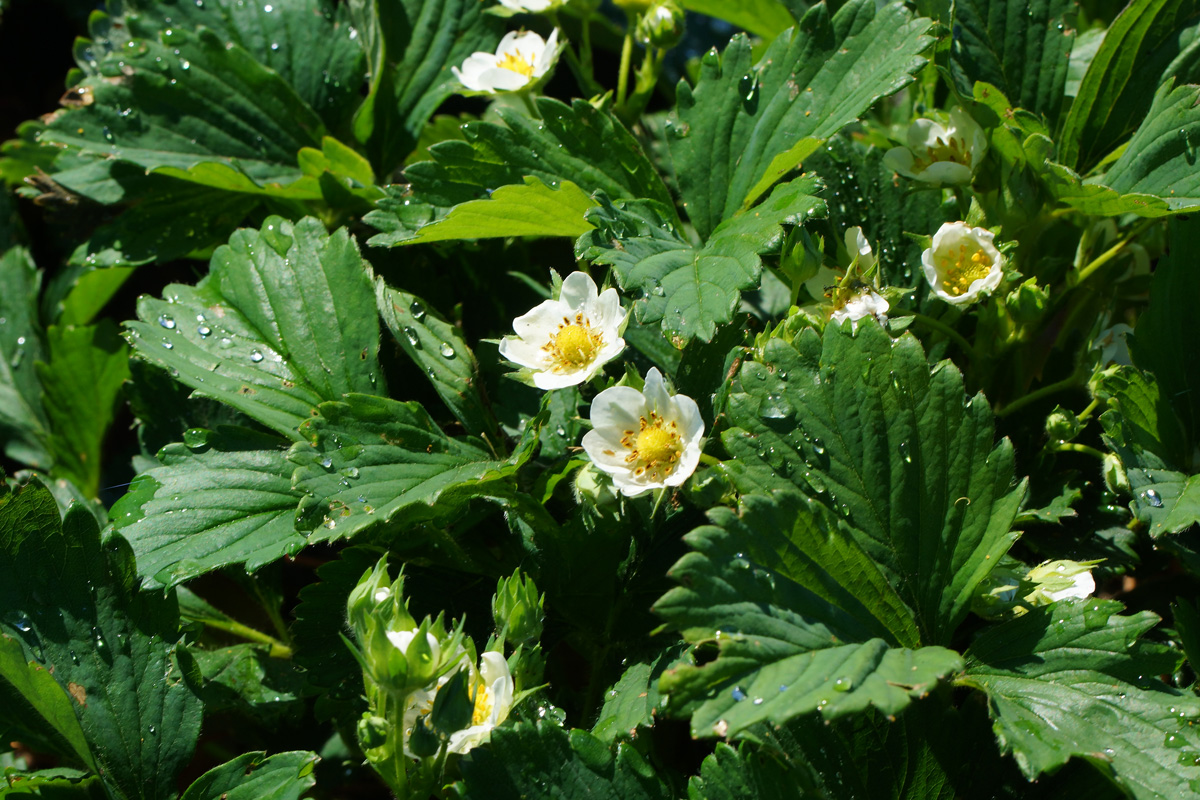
567,341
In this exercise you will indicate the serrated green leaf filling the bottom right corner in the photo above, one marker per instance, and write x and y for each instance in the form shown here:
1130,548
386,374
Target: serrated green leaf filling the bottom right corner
1072,681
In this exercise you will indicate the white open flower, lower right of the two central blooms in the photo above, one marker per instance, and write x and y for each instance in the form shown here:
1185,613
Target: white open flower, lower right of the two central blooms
645,440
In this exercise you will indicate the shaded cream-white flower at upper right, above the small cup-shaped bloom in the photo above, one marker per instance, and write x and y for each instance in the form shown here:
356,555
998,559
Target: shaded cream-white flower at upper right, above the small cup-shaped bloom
939,154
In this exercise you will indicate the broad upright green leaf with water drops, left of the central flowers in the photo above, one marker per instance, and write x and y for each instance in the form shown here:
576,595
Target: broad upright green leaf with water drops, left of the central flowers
285,321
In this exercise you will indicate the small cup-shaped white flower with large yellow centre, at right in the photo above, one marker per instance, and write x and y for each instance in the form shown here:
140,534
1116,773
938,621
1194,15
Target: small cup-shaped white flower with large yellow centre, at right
963,263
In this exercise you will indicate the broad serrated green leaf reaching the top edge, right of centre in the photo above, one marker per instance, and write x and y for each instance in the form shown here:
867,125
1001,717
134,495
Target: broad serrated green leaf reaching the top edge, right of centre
812,82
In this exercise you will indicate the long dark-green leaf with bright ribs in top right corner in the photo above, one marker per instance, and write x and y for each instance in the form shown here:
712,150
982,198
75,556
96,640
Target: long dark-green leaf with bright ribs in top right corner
1149,44
